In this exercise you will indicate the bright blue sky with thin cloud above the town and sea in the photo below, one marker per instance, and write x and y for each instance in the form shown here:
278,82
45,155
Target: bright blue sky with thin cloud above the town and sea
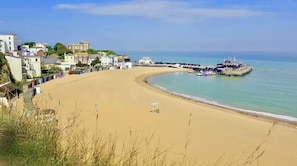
156,25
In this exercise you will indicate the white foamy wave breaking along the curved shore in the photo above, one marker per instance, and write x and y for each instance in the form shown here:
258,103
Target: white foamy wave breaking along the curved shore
203,100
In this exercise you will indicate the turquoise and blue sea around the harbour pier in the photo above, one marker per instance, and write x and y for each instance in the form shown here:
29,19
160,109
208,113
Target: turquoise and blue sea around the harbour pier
269,90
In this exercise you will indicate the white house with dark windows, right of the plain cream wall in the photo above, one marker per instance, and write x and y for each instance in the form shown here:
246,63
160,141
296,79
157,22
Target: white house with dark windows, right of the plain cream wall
32,66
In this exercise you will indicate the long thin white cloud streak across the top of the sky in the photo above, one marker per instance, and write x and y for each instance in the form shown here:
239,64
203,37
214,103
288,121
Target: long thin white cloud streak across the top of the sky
171,11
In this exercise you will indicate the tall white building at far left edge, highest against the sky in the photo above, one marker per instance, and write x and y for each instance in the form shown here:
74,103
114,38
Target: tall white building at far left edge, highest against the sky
9,43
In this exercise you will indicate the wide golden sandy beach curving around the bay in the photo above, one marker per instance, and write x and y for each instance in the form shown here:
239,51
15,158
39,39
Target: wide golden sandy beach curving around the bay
204,133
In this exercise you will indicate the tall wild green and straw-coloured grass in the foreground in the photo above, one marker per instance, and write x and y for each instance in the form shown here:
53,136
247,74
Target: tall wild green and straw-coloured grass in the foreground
24,141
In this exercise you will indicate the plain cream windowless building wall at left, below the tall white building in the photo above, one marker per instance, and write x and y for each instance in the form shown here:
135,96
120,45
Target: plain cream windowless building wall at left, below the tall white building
15,64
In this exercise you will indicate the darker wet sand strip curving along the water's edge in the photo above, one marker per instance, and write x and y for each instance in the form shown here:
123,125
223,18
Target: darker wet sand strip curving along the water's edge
143,80
